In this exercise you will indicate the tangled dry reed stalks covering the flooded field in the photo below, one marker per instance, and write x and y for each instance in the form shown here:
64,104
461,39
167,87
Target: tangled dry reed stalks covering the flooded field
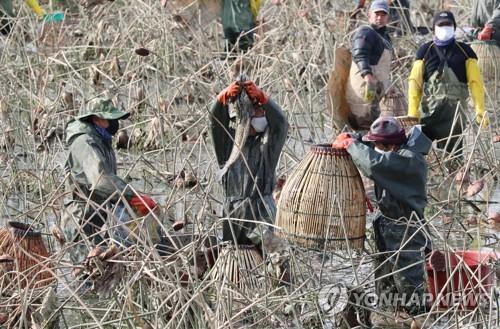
165,63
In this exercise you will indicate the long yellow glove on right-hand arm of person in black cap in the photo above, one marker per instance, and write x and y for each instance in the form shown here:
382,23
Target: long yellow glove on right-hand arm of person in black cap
476,87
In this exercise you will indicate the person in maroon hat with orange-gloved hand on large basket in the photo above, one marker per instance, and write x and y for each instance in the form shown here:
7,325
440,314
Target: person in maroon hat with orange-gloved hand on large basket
398,168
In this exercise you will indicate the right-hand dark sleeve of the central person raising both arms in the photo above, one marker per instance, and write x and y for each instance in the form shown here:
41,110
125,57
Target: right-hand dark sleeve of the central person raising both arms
278,129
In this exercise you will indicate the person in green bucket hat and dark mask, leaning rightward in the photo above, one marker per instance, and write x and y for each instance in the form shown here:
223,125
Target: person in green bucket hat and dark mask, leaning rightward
92,180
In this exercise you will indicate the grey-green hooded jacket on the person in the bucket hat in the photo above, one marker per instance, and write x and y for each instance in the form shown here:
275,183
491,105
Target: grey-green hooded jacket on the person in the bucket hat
91,163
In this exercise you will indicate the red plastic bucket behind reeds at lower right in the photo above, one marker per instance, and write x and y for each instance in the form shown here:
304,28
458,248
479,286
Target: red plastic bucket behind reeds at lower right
463,278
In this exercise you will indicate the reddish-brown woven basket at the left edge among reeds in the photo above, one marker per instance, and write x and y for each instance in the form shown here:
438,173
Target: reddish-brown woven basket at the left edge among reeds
30,255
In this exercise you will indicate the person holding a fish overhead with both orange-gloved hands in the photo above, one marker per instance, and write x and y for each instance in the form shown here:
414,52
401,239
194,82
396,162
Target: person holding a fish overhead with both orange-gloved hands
250,180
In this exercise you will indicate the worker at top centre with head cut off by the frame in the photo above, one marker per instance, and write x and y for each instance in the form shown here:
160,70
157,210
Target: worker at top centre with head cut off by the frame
238,22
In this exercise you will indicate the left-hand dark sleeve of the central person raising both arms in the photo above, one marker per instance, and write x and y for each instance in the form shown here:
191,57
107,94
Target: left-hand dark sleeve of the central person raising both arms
221,133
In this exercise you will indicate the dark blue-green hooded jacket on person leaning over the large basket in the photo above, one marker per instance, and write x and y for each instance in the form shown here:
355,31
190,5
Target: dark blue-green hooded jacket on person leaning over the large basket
400,177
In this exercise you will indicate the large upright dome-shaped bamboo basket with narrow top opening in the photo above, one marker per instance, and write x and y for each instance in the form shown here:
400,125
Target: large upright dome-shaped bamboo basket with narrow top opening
322,204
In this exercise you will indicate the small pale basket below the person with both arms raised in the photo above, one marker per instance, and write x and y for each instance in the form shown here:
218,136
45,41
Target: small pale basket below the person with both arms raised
242,265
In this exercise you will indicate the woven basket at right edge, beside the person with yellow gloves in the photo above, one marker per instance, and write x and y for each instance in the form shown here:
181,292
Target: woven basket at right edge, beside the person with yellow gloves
488,59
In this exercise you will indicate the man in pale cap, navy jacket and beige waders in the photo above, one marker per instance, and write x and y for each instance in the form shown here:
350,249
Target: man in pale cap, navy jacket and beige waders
369,76
